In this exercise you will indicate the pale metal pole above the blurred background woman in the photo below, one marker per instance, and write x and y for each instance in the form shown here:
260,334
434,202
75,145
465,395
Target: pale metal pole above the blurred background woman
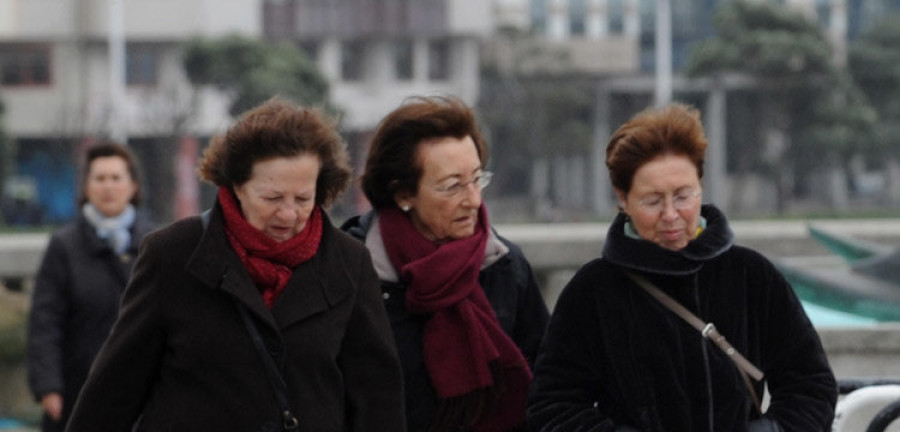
117,129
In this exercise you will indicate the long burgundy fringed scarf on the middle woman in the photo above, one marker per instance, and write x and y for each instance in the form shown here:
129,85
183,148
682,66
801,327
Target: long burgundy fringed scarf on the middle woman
464,344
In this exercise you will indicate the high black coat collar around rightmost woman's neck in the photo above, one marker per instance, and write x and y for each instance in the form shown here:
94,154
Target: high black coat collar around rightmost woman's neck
643,255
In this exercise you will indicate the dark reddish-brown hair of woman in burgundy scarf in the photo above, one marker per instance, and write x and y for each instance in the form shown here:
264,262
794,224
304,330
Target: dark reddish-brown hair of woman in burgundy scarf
392,165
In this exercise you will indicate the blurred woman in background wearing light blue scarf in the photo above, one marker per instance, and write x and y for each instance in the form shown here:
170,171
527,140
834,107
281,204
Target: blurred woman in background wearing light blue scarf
81,278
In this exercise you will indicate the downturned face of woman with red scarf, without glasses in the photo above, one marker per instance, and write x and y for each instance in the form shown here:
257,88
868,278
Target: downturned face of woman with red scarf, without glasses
280,195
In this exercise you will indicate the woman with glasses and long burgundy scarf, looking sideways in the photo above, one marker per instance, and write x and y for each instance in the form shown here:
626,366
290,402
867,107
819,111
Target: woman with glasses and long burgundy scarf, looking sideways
464,305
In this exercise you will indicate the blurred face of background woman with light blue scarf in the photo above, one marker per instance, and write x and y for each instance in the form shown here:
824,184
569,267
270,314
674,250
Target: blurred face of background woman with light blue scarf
109,186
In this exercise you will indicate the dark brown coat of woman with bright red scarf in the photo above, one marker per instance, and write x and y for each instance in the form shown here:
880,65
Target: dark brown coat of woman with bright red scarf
180,358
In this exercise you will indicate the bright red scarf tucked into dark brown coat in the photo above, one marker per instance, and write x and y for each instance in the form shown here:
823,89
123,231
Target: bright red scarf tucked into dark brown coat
269,263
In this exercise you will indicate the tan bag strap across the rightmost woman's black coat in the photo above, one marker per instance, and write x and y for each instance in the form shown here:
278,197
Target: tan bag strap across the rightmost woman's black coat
708,330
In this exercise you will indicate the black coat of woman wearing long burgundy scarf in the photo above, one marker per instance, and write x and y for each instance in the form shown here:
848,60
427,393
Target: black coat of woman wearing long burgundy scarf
509,286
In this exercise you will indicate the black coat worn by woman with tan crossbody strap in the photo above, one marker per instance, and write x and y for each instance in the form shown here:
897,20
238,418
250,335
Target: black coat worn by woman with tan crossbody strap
615,357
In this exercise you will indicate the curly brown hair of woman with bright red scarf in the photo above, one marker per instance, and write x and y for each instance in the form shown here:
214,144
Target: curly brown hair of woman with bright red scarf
278,128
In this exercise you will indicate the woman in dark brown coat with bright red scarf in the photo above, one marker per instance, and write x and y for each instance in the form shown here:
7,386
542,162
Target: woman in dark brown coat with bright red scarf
259,315
